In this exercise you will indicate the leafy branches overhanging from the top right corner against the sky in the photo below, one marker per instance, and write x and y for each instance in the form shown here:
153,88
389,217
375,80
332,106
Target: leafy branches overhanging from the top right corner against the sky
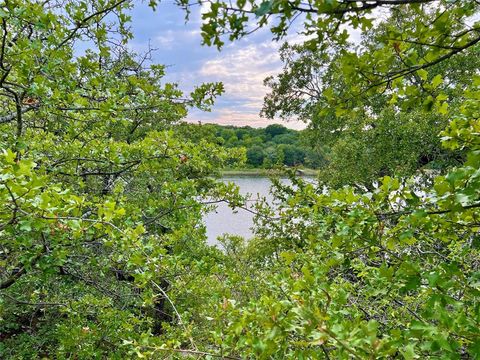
420,35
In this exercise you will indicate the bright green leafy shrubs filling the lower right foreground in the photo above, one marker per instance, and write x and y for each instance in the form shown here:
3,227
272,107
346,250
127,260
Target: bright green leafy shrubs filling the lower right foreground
389,273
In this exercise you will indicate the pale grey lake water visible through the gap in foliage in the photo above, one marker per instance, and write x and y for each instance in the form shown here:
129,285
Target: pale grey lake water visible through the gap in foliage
225,221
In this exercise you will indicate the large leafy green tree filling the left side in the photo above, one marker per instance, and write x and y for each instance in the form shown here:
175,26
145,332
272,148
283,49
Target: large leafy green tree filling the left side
98,199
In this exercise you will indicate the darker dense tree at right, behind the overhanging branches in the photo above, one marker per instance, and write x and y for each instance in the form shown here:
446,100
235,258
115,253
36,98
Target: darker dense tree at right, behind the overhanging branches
372,139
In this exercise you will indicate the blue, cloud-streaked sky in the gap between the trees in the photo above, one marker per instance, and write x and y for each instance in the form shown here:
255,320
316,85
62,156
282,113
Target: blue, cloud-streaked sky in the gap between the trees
241,66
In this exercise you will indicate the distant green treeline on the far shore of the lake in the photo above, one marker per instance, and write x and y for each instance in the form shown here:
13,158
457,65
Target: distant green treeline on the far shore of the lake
265,147
